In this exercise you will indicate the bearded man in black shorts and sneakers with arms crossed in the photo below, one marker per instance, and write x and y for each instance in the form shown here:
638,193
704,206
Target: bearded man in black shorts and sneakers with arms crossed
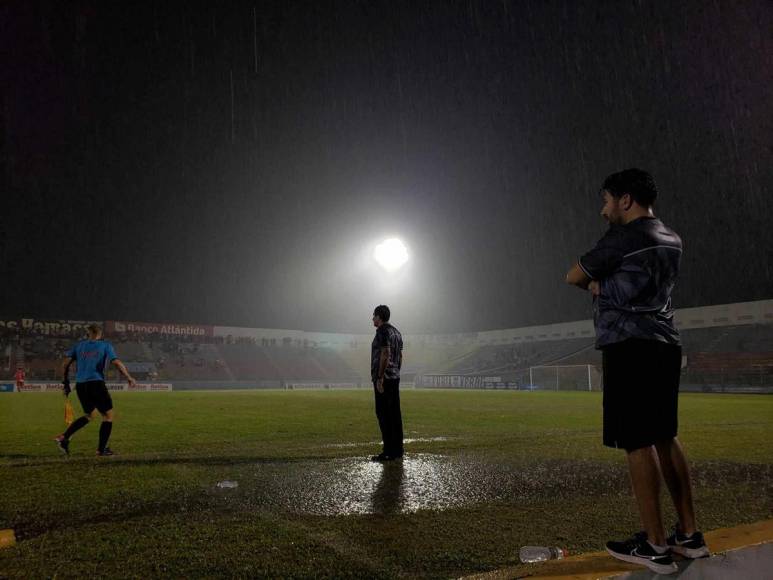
631,272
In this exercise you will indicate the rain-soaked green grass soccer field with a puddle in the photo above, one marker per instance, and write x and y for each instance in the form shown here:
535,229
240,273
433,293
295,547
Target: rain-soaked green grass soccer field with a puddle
485,472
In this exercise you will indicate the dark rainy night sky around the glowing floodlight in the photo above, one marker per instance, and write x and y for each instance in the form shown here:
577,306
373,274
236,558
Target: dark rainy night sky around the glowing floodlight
229,162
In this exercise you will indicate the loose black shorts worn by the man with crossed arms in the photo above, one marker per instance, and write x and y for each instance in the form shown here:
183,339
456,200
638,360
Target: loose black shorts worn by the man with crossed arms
641,392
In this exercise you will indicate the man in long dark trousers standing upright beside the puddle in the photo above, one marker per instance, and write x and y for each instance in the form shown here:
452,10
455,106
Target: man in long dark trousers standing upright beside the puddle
386,360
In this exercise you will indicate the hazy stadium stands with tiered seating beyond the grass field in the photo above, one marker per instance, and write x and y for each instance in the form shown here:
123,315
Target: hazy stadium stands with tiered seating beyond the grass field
718,356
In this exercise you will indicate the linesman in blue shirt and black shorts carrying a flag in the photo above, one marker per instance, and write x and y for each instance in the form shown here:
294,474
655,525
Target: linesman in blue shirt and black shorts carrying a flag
91,356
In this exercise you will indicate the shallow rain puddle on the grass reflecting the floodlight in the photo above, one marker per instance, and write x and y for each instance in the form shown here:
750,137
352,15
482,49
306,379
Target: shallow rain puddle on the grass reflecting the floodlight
424,481
